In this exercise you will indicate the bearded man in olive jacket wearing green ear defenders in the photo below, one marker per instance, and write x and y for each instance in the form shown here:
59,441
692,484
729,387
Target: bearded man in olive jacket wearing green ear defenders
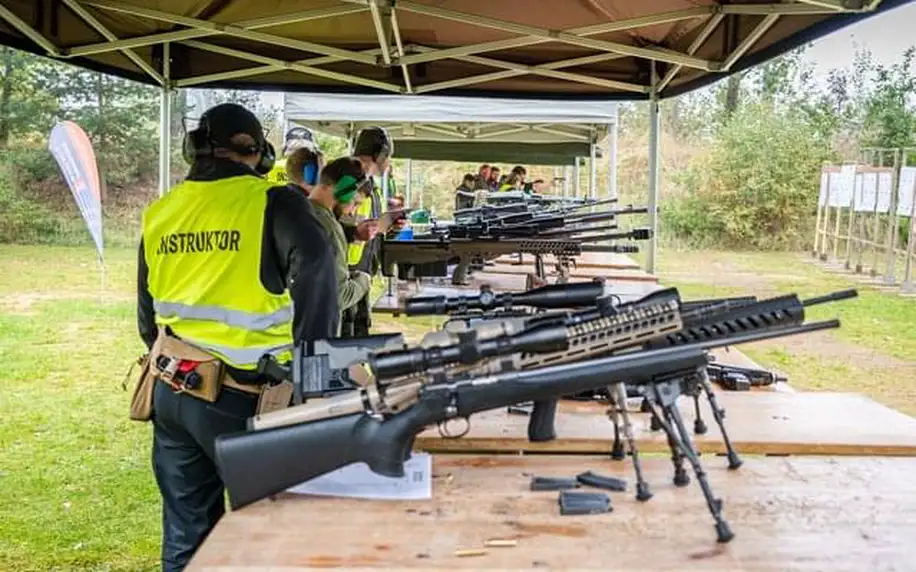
335,195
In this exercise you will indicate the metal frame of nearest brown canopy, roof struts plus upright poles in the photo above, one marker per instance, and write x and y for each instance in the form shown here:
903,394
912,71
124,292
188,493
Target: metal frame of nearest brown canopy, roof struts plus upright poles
670,67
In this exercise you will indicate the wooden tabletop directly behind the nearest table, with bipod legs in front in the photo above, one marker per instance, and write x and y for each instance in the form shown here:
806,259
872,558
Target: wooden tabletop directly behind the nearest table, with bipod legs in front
764,422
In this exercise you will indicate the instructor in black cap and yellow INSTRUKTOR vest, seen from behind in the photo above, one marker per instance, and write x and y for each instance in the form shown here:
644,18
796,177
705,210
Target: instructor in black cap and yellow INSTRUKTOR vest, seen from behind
231,268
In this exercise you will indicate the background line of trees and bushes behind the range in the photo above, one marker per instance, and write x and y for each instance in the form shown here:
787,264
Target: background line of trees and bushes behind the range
741,158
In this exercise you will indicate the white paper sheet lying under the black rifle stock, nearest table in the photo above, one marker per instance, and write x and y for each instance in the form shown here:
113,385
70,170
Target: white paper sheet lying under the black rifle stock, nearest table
358,481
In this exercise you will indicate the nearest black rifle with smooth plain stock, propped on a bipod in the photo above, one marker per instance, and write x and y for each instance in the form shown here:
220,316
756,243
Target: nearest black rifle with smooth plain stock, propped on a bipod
383,438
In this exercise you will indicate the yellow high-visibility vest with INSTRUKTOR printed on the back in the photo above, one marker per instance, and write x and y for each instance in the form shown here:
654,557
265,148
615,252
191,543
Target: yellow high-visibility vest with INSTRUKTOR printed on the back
202,244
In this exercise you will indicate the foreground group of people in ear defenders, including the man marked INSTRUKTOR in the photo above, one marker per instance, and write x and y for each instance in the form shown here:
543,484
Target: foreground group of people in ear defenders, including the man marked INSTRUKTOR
245,258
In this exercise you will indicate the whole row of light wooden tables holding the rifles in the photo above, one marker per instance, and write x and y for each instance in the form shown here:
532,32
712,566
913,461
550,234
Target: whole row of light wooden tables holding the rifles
827,484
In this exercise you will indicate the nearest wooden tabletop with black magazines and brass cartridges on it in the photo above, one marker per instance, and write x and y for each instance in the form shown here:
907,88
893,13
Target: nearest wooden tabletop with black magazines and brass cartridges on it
810,513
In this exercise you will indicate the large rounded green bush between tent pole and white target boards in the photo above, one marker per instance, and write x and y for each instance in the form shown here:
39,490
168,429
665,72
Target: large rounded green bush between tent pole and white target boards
756,188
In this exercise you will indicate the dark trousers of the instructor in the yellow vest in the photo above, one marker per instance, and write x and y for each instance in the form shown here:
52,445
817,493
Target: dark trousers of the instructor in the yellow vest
184,431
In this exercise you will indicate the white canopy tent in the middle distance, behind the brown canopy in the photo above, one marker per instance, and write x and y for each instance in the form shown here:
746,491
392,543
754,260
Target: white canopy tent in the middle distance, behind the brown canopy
474,129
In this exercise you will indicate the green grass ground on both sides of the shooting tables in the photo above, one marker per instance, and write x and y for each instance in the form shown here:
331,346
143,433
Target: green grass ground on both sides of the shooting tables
76,487
